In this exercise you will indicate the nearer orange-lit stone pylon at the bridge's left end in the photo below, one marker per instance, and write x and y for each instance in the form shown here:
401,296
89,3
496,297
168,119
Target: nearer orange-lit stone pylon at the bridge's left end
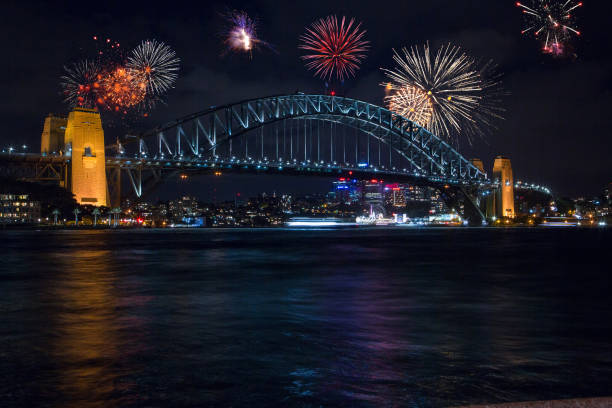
84,143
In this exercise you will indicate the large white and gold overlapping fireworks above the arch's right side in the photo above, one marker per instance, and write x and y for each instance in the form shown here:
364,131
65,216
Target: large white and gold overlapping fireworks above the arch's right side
447,93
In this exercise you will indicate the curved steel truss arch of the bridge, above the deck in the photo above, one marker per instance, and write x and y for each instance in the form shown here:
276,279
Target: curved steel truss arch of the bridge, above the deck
201,134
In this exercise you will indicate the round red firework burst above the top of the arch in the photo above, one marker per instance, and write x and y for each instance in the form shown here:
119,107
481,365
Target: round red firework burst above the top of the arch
335,48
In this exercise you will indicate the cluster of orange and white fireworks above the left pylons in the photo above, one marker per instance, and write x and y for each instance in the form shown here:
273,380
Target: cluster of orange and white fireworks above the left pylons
112,83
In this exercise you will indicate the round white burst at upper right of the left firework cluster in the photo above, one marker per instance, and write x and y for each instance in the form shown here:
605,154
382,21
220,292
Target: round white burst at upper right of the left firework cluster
155,63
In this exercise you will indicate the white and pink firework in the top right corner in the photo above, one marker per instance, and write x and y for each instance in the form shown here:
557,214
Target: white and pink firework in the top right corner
552,22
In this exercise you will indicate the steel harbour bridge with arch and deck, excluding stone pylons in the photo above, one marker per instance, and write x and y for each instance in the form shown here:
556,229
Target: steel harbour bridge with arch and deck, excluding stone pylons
299,134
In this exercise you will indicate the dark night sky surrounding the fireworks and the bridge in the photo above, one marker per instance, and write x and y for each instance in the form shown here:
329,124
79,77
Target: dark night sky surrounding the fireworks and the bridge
558,112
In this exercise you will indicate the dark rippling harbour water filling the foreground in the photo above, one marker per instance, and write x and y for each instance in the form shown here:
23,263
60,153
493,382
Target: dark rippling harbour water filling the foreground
362,318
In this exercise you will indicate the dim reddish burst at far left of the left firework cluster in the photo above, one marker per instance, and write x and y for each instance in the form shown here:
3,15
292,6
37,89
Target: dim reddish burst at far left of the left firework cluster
81,83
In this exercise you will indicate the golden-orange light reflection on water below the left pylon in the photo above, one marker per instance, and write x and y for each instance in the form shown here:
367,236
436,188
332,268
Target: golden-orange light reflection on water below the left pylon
87,345
